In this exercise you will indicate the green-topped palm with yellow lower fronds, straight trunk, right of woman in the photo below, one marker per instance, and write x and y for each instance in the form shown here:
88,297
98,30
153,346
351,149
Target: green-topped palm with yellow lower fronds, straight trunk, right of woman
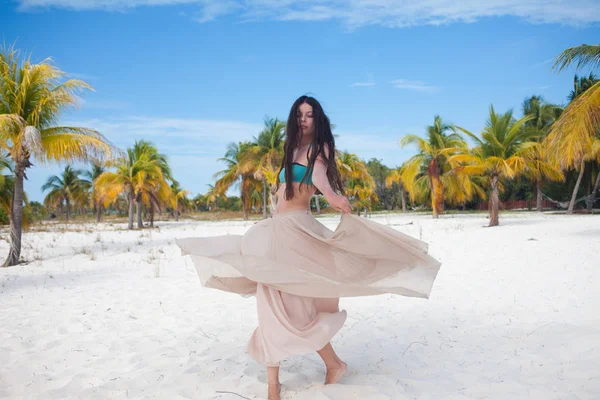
496,155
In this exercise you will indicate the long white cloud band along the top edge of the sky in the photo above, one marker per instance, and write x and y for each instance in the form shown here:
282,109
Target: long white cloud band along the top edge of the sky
357,13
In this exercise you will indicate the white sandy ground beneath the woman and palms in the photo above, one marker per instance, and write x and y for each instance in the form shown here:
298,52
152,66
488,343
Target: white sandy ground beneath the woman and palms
111,314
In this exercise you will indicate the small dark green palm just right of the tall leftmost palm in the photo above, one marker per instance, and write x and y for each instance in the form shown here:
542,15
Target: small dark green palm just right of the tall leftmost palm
68,188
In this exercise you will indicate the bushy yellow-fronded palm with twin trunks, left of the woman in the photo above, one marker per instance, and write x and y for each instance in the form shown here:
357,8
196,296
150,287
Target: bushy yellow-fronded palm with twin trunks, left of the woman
138,177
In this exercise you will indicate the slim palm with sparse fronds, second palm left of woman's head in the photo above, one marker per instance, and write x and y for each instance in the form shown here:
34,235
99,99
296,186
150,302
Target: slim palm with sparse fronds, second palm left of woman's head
236,174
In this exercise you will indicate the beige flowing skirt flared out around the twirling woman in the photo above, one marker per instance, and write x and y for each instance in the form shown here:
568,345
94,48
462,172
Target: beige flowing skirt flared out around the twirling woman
298,269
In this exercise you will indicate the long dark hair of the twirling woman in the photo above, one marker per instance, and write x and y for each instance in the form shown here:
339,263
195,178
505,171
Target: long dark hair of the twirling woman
321,137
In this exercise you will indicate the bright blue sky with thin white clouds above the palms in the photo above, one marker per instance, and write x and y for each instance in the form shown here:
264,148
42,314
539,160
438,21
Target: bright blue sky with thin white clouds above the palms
193,75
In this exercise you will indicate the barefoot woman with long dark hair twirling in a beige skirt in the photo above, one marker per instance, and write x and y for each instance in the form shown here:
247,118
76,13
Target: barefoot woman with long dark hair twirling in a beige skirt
297,268
